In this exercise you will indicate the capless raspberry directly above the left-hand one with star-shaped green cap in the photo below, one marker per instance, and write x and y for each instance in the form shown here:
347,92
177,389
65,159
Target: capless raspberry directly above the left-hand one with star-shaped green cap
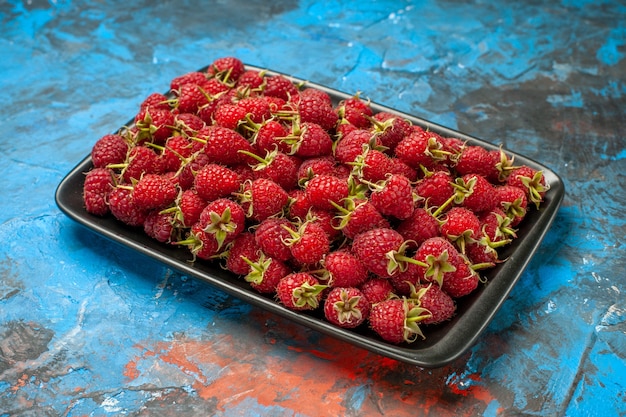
215,181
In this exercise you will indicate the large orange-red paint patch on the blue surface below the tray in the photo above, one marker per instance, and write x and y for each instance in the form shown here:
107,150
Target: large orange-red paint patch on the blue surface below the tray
313,378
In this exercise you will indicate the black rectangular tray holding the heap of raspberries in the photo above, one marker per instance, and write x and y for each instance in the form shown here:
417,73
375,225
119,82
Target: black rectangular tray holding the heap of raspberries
443,344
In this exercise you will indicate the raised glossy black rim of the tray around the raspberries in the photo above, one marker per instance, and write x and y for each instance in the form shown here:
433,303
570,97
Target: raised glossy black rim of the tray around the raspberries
450,347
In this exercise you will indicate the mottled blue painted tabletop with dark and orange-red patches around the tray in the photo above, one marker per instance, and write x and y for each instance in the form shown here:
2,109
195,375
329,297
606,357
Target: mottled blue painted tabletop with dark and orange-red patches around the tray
90,328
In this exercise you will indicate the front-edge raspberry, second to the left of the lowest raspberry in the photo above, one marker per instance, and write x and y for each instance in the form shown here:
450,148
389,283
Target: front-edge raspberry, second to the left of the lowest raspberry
299,291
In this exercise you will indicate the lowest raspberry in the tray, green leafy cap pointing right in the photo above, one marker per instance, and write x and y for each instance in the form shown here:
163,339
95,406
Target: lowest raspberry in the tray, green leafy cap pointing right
397,320
